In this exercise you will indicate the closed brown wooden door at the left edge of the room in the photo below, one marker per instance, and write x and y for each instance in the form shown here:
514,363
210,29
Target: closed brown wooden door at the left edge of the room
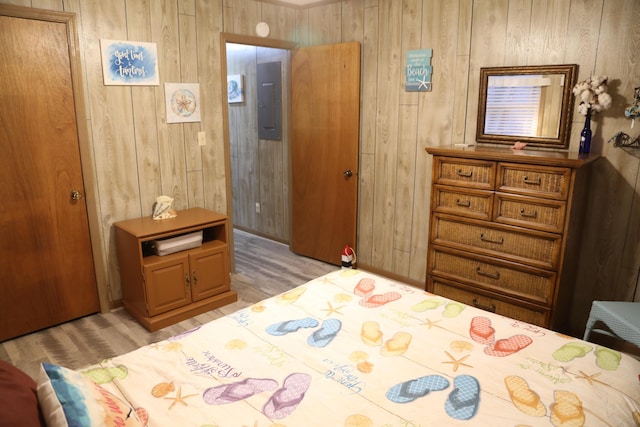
46,270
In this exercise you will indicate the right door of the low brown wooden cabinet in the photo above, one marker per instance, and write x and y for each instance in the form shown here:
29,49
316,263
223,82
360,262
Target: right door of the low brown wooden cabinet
209,272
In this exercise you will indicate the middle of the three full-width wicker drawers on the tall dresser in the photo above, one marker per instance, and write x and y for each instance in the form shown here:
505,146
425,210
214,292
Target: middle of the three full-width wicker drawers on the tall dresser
533,284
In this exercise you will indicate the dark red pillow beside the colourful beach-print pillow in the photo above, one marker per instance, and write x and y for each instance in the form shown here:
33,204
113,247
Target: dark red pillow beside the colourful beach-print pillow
18,398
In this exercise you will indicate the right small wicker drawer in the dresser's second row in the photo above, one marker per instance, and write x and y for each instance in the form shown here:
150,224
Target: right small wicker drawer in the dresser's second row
540,214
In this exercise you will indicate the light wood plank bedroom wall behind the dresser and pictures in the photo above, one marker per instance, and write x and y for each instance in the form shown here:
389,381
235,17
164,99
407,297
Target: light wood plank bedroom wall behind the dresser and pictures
138,156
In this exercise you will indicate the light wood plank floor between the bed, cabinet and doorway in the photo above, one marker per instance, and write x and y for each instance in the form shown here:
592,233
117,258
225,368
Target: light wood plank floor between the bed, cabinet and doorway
263,268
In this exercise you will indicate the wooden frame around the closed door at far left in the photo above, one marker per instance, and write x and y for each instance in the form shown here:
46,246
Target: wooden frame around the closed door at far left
84,141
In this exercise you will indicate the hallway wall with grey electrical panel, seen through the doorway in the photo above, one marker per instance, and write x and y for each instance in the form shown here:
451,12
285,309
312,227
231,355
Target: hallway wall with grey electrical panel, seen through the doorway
257,92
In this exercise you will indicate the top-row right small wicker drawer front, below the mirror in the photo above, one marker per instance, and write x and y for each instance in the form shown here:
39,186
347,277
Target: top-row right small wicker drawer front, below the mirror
539,181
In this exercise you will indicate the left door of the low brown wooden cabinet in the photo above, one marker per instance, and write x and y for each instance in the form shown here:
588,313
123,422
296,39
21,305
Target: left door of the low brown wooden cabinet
167,284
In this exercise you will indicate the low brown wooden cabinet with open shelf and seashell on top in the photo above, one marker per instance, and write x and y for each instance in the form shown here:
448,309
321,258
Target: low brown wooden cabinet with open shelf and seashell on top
161,290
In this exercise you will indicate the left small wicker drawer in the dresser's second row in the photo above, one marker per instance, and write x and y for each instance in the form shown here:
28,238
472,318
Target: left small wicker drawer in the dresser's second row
465,202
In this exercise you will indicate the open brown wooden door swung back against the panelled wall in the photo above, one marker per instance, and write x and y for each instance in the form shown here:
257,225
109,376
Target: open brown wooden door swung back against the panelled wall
325,117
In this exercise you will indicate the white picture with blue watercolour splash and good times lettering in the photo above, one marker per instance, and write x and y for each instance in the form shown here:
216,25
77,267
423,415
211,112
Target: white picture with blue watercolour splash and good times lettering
129,63
